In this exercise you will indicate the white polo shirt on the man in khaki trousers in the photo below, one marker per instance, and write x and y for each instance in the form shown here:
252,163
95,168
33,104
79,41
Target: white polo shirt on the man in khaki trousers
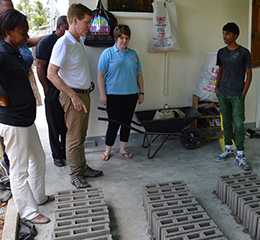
70,55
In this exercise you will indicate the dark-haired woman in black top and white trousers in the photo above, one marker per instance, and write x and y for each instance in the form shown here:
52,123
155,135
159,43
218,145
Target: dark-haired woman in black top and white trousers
23,146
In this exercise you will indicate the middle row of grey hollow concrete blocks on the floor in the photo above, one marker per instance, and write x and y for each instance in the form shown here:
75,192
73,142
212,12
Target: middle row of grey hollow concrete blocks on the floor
174,214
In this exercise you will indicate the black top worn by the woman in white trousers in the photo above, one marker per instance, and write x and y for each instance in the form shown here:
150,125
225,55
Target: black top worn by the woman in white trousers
14,83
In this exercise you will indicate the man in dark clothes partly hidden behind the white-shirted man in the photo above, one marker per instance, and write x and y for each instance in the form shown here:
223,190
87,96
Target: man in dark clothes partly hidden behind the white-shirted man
54,111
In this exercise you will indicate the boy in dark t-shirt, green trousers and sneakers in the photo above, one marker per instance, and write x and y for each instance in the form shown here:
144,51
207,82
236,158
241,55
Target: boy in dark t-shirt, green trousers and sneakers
234,63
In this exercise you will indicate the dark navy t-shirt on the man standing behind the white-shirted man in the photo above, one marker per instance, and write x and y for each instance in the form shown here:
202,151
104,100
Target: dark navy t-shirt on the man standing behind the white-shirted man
43,52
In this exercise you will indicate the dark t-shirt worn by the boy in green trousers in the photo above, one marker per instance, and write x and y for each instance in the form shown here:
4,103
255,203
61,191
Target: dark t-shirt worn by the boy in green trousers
234,62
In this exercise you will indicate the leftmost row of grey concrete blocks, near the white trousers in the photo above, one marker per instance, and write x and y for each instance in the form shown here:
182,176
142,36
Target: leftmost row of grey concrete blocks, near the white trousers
81,214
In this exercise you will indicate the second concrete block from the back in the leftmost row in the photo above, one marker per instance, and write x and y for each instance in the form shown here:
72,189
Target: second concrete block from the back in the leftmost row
79,197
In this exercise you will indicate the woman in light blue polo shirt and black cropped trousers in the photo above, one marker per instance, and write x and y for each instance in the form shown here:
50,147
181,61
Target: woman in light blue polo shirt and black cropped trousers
120,82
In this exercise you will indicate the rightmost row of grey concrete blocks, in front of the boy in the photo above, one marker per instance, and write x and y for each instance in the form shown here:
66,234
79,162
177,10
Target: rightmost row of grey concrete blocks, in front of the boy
241,192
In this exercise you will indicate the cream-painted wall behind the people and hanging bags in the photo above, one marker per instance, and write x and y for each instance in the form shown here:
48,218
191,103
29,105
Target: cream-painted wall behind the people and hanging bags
199,29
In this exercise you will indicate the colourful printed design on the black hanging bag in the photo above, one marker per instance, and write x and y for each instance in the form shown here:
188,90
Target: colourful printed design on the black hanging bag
100,26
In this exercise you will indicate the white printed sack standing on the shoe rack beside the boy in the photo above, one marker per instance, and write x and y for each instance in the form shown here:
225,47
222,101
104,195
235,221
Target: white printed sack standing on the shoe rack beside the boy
205,89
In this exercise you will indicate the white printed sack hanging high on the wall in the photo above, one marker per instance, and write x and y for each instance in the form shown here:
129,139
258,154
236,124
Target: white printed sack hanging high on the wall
164,27
